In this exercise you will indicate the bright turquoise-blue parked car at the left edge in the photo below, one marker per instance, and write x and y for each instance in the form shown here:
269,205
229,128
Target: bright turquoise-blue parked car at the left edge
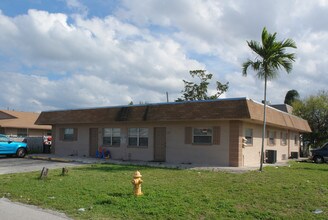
8,147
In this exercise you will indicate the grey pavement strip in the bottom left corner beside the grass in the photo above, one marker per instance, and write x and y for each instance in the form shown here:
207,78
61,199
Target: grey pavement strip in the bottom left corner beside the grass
18,211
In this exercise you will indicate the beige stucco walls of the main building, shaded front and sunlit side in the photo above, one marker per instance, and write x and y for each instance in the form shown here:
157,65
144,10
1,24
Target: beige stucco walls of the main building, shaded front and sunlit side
177,151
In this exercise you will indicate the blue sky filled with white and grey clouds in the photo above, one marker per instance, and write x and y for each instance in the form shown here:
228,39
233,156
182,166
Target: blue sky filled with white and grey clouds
67,54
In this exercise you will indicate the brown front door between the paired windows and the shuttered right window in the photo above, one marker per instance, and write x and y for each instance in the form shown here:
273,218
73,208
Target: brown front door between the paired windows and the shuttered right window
160,144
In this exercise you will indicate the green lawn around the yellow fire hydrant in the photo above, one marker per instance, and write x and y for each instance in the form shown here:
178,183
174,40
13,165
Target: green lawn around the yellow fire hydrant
105,192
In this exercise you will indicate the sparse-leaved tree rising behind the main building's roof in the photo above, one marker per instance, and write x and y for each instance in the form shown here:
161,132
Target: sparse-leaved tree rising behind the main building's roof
193,91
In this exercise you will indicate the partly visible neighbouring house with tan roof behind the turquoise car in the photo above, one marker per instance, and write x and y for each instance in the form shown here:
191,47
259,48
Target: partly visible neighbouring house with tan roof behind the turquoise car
21,124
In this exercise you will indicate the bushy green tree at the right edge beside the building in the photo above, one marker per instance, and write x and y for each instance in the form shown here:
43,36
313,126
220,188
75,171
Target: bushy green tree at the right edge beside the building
314,109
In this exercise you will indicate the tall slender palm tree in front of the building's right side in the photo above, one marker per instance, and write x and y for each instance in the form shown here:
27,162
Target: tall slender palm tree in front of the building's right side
270,58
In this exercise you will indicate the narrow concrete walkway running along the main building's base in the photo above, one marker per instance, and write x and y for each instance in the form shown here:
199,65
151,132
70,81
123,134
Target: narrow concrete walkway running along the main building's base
90,160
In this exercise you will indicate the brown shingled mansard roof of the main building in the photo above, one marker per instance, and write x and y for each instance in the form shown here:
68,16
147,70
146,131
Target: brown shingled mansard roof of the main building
220,109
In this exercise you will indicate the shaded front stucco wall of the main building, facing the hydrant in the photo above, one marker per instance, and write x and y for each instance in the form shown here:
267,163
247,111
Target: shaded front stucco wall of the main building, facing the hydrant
176,150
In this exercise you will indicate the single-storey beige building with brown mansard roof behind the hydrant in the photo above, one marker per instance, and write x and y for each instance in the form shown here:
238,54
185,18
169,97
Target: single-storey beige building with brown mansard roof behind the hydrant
197,132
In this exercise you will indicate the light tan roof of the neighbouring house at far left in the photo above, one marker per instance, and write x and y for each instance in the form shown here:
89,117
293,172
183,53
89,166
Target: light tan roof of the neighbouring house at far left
16,119
